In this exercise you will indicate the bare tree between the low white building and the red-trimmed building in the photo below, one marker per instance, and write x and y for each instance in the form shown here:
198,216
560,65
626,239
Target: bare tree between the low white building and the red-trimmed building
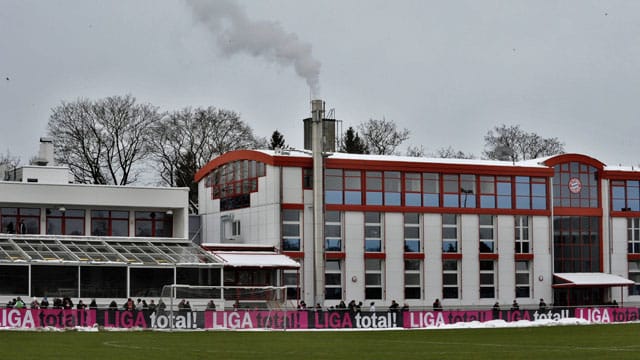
185,140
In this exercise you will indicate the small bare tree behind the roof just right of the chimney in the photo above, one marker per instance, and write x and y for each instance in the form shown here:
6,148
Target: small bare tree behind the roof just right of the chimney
382,137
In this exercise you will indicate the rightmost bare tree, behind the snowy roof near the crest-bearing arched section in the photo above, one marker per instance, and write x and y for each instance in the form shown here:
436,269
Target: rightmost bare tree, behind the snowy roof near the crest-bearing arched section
514,144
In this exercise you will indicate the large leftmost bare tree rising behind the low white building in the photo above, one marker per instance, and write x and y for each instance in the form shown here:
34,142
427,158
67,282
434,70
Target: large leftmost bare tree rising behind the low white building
103,141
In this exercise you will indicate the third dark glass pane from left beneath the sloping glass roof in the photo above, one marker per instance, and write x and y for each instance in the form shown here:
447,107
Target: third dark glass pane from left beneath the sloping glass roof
103,282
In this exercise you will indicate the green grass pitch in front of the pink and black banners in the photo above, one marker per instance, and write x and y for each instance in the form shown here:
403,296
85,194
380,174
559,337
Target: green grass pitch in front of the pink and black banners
557,342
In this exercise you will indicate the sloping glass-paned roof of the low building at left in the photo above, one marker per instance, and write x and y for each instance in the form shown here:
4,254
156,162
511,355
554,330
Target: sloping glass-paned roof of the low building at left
49,249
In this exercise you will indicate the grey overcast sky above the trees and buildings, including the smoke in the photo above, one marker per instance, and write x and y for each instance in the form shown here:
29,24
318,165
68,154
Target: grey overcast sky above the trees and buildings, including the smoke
446,70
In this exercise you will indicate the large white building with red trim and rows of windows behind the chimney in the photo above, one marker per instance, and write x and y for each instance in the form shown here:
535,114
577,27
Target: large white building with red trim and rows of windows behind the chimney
468,232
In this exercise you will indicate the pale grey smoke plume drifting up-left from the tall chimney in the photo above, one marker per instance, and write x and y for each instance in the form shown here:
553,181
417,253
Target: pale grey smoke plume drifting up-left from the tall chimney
235,33
